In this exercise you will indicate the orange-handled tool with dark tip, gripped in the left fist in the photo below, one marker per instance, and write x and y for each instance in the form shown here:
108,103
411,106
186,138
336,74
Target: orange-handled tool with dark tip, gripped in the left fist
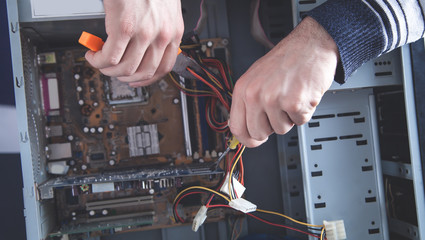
183,62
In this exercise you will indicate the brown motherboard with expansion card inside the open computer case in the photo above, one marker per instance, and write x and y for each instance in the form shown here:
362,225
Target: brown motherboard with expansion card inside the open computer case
117,156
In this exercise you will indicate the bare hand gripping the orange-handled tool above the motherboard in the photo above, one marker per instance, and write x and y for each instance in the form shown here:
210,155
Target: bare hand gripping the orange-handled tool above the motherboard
143,40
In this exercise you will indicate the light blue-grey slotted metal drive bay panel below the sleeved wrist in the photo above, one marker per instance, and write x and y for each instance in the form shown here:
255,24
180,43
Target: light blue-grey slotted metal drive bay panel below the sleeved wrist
341,165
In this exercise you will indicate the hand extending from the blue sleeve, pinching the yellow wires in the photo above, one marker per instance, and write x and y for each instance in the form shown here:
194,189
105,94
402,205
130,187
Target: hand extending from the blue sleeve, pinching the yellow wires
284,87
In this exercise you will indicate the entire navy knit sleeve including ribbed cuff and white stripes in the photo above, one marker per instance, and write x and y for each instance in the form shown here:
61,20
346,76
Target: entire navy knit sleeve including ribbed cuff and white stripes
365,29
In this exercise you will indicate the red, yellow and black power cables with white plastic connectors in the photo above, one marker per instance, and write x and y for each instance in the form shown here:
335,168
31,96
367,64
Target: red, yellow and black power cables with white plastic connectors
215,83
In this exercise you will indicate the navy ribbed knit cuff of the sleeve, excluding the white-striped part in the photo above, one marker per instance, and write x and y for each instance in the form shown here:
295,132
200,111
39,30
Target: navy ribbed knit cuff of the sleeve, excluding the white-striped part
356,30
